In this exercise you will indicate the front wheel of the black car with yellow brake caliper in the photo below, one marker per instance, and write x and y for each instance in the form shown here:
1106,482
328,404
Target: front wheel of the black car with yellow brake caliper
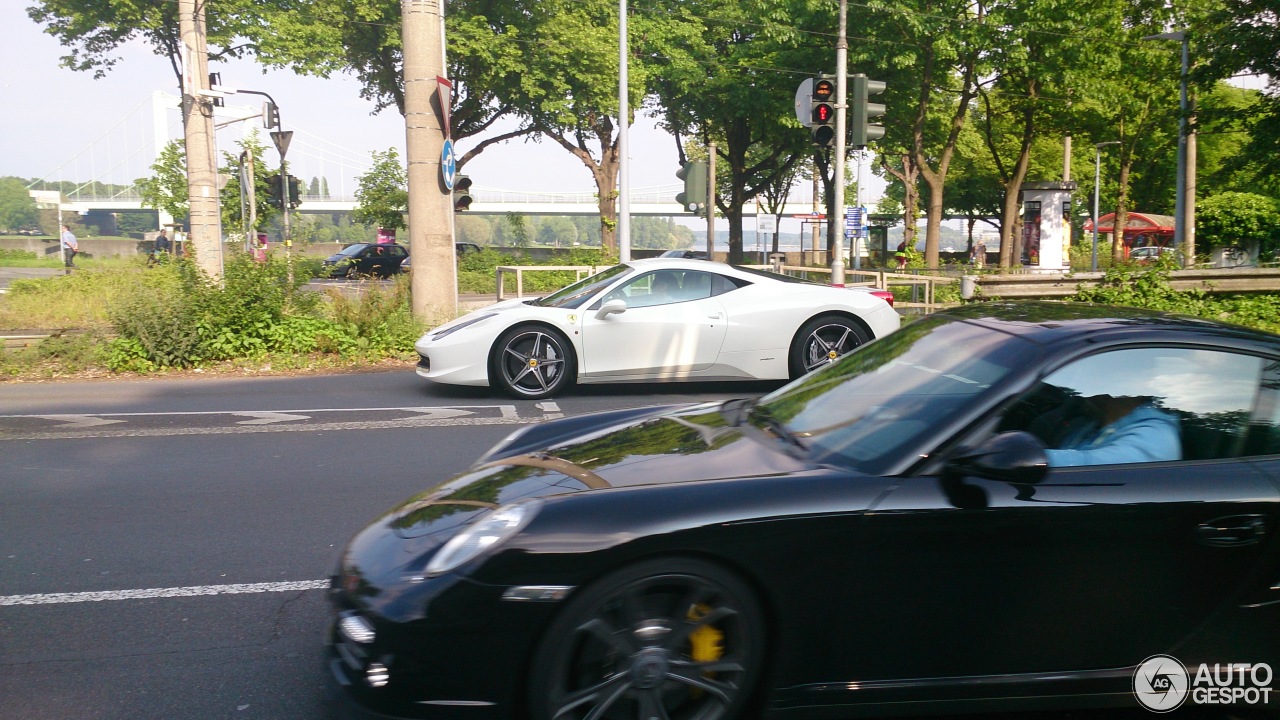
678,640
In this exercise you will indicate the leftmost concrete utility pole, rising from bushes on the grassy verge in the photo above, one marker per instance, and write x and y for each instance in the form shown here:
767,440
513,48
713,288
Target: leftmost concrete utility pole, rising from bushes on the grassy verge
198,120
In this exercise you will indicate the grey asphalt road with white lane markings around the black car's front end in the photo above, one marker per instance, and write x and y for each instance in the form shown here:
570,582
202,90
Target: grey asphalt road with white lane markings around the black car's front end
163,544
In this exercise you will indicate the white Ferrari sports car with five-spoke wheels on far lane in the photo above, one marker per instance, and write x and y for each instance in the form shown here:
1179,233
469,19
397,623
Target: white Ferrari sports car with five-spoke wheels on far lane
652,321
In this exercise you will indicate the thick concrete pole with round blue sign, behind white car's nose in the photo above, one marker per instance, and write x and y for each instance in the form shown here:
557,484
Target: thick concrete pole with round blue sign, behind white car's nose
435,285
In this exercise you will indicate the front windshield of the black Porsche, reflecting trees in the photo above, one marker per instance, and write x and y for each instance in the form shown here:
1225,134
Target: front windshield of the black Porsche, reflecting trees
872,405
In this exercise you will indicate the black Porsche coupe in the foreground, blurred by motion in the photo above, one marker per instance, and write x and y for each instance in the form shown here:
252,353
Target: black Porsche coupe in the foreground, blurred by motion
1007,507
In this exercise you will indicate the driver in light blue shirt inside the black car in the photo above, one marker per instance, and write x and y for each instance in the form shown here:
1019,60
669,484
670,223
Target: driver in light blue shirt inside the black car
1132,430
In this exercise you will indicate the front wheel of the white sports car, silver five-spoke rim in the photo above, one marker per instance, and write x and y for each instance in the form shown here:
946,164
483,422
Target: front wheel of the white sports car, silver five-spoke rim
532,362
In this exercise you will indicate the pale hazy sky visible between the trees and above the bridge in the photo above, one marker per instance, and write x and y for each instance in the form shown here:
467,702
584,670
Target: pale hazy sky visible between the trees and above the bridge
66,125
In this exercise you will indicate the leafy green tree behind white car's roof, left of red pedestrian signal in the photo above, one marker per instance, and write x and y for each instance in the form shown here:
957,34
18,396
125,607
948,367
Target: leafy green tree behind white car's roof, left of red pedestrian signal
728,74
